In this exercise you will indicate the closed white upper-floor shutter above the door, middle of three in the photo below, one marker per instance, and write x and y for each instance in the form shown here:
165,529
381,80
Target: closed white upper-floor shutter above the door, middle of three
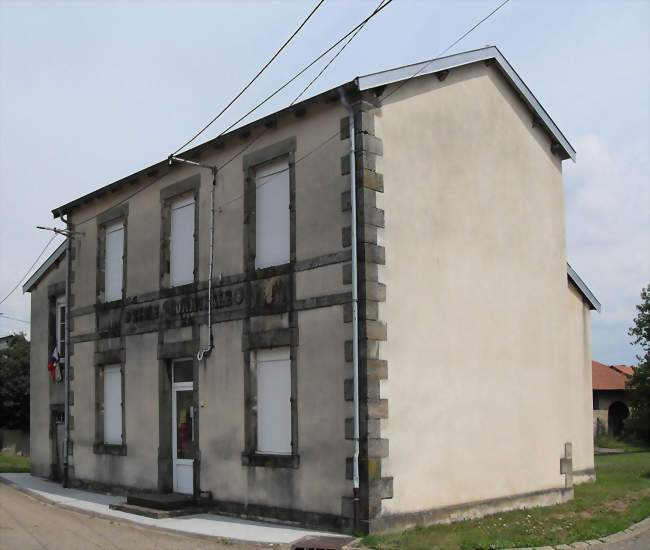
182,242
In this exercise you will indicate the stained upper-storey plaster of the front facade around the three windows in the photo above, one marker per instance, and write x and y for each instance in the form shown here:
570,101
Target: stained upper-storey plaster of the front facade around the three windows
319,218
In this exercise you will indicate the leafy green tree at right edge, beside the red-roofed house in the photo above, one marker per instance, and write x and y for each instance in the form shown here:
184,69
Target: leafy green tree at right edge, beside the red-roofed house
638,424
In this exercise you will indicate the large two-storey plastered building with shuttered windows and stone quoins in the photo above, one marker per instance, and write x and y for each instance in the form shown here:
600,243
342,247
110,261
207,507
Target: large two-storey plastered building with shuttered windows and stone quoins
474,335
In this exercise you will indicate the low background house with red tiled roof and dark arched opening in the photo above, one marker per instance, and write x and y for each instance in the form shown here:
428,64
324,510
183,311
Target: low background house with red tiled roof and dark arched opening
611,398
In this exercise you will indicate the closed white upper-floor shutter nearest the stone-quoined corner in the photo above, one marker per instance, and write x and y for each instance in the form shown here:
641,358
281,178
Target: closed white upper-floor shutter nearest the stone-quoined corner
272,220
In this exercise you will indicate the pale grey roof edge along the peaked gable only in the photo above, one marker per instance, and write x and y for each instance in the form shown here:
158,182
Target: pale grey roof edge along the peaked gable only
436,65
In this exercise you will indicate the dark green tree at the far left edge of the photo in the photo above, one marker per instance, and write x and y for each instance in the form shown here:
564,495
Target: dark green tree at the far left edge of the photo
14,383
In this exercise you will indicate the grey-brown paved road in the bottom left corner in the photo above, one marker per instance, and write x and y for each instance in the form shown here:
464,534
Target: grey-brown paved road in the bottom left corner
30,524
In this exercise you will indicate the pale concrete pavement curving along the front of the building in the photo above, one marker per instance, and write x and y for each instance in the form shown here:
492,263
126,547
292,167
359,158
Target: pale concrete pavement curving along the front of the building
207,525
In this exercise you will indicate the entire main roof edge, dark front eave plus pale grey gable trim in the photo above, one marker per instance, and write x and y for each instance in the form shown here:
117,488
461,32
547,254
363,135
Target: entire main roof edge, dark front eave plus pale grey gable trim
360,83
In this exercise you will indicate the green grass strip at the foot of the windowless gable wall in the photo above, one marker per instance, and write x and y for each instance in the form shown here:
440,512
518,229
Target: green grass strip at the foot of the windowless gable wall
619,498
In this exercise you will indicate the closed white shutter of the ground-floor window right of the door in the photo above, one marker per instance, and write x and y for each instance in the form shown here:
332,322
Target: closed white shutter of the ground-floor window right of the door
274,401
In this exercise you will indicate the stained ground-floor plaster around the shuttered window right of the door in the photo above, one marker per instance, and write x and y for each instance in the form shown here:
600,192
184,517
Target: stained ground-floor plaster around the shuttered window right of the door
319,483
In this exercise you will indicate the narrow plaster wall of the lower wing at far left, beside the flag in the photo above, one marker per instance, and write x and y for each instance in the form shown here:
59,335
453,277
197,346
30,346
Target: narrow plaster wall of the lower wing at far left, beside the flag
43,392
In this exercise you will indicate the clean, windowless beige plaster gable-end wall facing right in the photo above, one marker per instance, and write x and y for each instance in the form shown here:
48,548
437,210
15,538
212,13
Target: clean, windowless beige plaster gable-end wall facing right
476,294
